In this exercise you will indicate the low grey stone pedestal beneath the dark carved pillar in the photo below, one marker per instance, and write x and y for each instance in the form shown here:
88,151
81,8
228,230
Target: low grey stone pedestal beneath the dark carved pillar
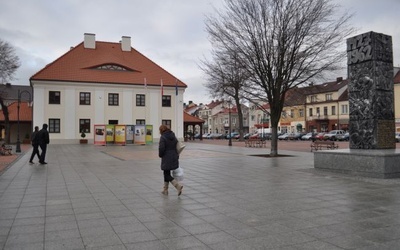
382,163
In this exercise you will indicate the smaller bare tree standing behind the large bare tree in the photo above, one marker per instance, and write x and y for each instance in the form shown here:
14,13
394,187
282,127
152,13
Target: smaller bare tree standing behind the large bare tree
226,78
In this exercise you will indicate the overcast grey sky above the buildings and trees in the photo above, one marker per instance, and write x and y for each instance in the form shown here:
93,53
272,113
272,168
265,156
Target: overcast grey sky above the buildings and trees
169,32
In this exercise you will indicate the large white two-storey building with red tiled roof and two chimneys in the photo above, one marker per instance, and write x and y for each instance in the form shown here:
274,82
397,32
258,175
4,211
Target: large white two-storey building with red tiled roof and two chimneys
105,83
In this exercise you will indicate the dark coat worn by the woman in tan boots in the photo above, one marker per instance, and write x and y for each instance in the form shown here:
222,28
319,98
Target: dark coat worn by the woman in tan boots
167,151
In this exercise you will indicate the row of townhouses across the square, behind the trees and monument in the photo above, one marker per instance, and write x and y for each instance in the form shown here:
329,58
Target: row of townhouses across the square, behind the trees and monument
316,107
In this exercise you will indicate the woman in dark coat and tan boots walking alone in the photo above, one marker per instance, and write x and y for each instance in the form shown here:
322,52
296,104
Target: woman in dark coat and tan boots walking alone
169,158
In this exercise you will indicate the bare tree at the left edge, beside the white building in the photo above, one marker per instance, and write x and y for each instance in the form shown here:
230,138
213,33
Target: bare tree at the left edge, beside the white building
9,63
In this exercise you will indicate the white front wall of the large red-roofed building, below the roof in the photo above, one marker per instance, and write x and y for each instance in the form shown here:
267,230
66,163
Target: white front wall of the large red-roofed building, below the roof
69,111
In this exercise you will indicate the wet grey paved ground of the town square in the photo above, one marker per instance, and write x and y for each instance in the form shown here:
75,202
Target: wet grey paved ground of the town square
109,197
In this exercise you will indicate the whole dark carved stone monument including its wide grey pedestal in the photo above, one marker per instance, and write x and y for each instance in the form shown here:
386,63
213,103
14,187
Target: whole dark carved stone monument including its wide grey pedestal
372,147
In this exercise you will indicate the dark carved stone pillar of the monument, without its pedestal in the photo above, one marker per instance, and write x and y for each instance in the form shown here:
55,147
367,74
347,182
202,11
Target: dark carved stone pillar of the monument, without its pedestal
371,98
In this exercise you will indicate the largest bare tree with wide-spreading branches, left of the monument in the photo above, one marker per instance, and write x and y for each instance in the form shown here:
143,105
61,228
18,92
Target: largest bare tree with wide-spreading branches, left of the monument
282,43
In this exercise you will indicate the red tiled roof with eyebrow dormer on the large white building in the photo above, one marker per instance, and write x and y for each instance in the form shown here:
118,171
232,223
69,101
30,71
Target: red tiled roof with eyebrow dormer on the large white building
78,65
